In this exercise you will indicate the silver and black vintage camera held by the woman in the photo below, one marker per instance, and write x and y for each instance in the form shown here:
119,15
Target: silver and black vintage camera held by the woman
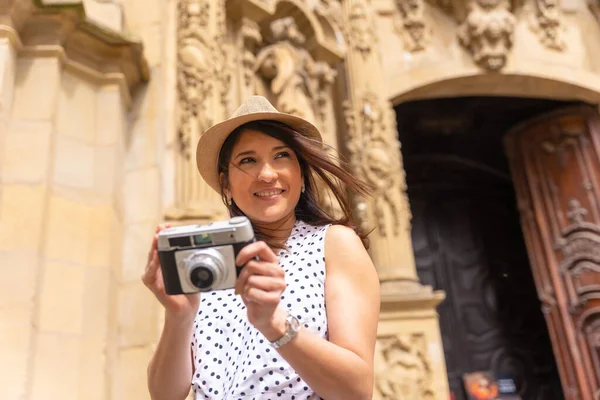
200,258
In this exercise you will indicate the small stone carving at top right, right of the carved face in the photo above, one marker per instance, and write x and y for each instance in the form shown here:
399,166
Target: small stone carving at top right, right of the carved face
547,23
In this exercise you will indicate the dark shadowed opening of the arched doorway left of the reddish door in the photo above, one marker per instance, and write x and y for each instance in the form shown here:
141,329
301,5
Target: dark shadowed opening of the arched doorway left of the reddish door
468,241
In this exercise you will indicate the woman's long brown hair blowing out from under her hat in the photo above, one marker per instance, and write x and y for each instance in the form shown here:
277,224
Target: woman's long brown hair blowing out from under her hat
316,165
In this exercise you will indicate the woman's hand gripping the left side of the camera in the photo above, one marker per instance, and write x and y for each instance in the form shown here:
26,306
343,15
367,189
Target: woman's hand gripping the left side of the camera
183,305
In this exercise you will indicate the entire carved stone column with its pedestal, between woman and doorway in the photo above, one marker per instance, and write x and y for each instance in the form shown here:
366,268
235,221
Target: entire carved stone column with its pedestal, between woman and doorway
409,354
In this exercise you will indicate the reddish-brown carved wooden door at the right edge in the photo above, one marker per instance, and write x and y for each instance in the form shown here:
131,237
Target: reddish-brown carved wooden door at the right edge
555,162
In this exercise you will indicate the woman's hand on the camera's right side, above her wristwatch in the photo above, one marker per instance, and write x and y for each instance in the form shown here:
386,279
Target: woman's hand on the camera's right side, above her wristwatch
261,284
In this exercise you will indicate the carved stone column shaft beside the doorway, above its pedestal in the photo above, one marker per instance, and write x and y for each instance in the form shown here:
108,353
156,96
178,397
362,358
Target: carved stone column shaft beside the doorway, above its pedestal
375,151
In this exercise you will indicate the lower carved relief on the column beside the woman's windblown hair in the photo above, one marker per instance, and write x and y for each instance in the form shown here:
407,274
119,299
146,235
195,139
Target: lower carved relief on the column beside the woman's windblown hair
375,156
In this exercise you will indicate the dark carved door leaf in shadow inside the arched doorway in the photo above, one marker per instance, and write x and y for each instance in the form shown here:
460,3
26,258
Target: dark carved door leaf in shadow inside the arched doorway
468,242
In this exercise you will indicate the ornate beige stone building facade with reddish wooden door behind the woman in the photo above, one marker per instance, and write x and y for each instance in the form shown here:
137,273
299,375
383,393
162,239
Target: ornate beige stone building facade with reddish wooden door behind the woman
102,102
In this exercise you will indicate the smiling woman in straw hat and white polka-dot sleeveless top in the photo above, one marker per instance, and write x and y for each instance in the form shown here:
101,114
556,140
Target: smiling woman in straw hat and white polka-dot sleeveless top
301,322
